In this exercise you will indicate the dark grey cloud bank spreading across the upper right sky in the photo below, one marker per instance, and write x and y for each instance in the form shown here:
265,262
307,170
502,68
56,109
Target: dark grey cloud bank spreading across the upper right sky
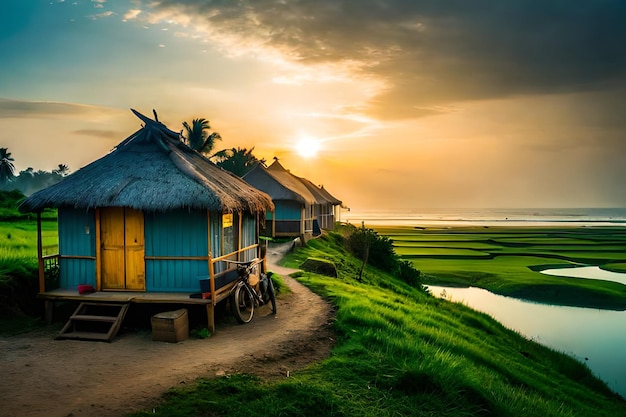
431,52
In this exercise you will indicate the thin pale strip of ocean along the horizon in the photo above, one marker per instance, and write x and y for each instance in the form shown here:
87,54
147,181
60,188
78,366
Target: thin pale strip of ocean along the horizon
488,217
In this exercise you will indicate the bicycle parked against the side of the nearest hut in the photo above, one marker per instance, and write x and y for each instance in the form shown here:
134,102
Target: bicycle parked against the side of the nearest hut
245,296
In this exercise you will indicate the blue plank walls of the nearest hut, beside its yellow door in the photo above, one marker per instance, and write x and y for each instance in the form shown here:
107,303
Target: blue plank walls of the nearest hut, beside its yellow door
179,233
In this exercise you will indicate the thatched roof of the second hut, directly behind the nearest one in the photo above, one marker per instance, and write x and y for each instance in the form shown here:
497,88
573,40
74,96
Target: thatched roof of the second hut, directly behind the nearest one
279,183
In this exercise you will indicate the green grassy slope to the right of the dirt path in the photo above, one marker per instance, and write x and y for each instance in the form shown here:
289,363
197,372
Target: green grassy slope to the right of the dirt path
400,351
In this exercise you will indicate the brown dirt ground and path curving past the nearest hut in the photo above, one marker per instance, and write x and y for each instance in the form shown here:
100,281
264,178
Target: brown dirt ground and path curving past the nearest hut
40,376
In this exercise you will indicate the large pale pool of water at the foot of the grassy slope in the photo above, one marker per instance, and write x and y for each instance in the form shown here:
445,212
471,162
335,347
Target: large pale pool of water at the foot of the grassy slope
596,337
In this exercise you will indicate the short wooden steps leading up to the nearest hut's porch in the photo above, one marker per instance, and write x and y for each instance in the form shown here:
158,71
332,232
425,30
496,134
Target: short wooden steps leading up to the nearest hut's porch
94,321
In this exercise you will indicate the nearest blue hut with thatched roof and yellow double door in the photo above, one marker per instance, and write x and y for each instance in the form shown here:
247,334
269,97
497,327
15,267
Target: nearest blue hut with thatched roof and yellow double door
148,221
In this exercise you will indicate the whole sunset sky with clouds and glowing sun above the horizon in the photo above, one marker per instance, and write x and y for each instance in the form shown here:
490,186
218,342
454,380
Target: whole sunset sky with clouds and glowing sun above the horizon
408,103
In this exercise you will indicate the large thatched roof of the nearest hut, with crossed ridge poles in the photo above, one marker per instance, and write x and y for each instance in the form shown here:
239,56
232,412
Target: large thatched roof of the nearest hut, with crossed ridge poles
152,170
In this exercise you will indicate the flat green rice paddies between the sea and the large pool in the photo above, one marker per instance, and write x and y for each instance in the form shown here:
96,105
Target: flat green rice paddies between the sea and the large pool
507,260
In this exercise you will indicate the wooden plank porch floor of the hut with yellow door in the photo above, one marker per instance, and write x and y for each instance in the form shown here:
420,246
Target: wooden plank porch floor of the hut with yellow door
122,297
